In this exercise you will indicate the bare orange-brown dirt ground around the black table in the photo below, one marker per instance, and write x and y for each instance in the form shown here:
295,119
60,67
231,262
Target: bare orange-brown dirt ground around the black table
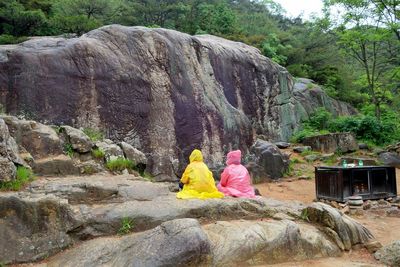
385,229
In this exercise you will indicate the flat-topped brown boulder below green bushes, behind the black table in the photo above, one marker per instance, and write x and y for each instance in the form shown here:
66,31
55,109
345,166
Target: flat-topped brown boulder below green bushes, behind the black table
333,142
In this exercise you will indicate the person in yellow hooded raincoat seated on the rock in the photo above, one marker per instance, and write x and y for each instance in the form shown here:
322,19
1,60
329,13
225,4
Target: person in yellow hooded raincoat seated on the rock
198,181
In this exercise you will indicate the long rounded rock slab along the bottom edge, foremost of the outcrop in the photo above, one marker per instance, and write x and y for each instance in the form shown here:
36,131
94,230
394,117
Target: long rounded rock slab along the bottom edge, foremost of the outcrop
184,242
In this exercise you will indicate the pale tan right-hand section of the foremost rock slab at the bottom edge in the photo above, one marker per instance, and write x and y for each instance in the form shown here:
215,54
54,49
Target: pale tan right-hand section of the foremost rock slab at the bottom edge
266,242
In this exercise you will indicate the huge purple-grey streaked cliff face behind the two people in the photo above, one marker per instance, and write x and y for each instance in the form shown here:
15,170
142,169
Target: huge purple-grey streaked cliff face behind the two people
162,91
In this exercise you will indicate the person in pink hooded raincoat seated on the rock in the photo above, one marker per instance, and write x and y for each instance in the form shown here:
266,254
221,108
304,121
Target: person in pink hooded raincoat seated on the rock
235,179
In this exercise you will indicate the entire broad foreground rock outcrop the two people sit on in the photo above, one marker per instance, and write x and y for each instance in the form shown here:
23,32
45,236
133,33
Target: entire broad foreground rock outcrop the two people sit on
53,214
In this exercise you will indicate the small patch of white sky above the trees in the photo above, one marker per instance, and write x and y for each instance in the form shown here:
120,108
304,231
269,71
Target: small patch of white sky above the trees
294,8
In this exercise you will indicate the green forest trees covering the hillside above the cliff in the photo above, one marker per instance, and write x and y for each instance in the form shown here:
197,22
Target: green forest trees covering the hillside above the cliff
353,51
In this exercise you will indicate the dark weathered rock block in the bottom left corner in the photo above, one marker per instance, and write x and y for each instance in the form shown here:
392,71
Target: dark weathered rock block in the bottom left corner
33,228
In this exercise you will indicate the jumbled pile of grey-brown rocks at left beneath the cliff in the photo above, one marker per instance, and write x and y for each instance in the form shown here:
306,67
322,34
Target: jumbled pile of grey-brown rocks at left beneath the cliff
57,150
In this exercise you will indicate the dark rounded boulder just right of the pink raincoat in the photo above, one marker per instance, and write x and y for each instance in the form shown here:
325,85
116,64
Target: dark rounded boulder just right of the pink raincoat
266,161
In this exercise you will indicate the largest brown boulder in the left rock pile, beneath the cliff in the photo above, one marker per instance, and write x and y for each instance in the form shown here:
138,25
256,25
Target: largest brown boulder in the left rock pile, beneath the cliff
38,139
